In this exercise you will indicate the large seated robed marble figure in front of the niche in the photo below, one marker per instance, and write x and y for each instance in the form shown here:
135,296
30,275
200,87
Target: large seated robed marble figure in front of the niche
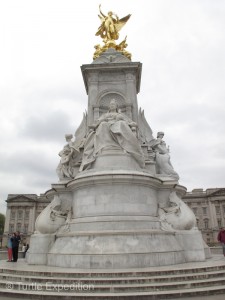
113,130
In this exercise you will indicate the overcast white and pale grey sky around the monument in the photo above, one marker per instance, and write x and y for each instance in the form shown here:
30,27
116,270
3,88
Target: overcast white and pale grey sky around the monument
181,44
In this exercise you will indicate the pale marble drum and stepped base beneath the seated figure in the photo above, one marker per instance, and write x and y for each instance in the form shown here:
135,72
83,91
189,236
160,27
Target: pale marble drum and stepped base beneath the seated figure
115,224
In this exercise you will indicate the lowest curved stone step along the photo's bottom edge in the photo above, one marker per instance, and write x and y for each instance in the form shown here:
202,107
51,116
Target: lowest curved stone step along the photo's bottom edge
167,294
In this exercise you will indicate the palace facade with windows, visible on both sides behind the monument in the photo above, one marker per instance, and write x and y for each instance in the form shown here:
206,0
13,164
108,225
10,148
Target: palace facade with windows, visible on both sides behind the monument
208,207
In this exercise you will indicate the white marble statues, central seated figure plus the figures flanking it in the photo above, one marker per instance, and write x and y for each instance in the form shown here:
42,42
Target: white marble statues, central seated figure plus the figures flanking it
112,130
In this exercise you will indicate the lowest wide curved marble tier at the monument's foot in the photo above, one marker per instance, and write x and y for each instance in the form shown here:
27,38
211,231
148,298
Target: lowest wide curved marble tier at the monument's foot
116,249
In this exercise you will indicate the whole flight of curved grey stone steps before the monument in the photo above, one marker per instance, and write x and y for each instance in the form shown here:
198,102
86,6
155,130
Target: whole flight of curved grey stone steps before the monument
163,283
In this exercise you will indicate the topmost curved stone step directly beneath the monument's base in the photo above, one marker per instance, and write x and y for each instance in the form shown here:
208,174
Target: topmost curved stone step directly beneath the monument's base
174,270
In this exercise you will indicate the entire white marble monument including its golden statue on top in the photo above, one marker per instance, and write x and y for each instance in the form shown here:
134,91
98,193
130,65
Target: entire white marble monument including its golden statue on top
118,200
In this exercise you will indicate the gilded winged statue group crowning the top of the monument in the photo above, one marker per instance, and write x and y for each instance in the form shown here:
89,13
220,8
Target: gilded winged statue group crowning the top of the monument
109,32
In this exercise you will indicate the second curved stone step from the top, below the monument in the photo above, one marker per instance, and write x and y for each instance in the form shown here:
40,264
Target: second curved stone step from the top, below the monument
118,280
